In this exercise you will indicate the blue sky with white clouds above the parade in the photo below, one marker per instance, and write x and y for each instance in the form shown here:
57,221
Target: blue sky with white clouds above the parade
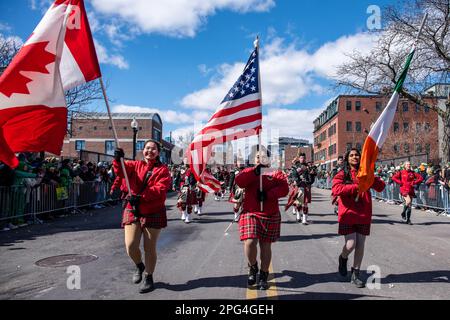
180,57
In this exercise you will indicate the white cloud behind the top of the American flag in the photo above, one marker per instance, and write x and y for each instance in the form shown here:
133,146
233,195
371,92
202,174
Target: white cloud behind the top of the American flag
287,73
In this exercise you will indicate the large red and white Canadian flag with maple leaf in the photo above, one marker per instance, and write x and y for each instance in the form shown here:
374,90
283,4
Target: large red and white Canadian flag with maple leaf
33,112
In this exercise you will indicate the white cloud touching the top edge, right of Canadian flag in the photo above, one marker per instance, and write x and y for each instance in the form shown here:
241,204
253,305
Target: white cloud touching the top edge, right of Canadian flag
179,18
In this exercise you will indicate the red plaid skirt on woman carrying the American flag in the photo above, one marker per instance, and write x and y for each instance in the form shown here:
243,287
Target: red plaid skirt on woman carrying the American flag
257,226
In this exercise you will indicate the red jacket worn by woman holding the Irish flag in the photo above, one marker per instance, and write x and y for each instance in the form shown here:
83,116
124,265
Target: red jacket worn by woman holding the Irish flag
350,211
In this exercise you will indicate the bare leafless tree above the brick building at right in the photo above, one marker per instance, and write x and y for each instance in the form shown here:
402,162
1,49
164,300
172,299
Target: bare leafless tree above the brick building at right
377,72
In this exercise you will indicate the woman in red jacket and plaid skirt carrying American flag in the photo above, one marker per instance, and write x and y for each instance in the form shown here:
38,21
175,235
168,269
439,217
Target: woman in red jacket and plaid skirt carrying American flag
256,225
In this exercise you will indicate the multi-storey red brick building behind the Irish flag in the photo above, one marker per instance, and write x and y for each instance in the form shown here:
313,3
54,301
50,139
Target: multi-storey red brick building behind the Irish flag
347,120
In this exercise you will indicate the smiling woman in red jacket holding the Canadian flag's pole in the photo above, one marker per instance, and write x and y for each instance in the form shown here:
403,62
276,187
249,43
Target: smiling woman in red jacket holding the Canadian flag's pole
144,214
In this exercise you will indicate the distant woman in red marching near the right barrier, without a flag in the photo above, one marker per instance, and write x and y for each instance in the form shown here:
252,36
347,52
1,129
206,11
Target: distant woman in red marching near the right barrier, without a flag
407,179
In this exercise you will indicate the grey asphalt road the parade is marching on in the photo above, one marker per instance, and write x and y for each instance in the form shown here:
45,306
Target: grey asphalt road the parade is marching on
200,261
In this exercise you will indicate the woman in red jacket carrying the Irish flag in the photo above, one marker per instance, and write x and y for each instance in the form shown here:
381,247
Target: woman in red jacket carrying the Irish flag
354,215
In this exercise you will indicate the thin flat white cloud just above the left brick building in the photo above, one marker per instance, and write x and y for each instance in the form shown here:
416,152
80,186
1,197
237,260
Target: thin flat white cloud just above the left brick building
167,116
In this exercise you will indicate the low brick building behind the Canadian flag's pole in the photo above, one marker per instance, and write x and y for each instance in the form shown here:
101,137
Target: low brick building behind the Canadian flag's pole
93,132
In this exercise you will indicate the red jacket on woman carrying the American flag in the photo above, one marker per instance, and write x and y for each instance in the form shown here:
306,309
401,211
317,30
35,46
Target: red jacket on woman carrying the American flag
274,184
